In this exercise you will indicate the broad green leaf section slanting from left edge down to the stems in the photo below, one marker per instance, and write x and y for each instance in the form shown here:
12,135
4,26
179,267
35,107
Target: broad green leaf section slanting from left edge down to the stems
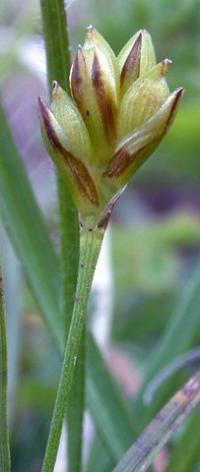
23,221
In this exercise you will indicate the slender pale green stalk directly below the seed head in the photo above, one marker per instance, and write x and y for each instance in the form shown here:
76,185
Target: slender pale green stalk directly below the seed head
90,247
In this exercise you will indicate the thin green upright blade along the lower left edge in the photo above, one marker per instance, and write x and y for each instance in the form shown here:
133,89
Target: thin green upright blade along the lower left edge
4,437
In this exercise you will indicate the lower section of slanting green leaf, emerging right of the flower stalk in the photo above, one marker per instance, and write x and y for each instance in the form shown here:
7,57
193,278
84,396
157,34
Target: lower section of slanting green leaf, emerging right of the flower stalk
111,413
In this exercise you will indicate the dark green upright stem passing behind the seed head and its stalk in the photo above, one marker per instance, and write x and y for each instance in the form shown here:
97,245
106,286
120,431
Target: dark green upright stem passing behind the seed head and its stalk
54,21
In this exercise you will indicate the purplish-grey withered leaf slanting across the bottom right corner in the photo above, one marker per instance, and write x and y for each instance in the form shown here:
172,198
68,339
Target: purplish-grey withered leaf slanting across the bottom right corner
143,452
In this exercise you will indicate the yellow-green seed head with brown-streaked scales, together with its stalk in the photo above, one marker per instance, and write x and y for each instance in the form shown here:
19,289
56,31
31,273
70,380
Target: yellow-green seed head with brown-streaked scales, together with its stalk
119,110
